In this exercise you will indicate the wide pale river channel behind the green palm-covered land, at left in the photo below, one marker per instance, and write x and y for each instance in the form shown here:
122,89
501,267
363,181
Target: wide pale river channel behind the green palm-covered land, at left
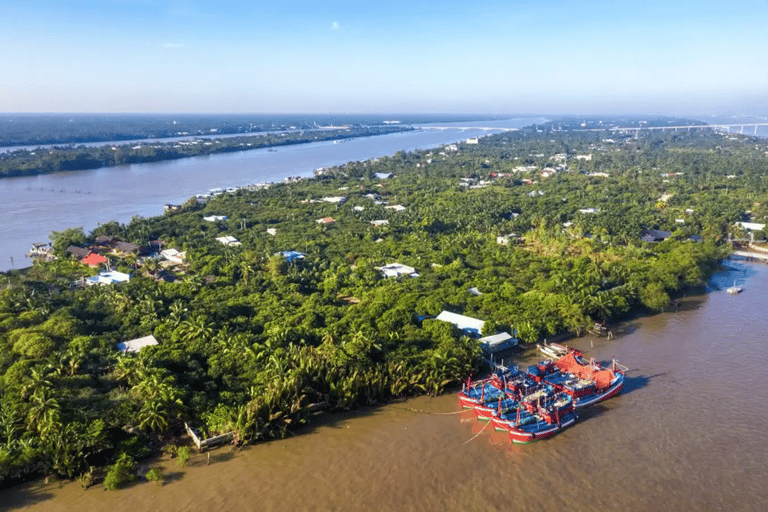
32,207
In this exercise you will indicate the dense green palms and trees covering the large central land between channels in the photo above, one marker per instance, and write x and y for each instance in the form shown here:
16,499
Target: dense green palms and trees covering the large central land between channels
252,344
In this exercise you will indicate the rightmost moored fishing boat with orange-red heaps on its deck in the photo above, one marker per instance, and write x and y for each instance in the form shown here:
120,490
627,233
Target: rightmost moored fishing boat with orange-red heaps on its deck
586,383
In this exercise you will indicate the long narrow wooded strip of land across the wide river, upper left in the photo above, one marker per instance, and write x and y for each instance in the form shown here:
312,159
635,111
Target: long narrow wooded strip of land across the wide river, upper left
70,158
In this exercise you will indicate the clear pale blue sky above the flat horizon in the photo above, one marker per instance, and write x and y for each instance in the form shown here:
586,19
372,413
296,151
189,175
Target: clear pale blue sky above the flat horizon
675,57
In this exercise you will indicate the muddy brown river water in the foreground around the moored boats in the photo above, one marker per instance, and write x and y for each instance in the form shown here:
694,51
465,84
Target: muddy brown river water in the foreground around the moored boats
687,433
